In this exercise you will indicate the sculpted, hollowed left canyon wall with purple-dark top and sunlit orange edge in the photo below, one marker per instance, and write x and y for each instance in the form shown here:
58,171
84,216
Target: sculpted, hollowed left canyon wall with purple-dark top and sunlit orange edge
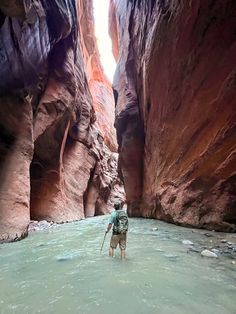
53,152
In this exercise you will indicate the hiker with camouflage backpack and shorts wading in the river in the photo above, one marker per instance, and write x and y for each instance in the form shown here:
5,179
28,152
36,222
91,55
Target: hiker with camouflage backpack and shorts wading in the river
119,220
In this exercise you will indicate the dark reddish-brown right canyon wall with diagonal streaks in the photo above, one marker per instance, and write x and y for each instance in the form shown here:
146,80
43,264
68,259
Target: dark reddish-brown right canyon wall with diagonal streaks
176,109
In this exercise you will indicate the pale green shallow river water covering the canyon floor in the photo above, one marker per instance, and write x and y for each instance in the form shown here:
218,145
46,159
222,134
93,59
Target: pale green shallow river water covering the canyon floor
62,270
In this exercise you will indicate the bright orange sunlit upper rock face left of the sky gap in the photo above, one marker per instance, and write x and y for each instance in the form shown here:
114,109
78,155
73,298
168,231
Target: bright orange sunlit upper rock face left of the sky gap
100,87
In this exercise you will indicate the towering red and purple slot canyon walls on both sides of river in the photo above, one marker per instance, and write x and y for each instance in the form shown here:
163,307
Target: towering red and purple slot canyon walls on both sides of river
174,92
